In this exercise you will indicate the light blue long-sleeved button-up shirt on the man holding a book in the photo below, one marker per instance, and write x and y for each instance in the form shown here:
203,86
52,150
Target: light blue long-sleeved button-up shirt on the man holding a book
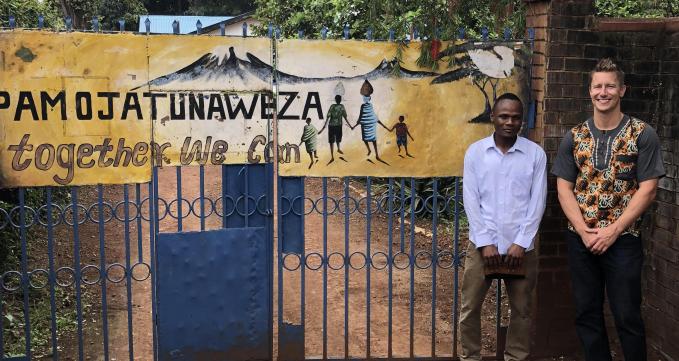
504,194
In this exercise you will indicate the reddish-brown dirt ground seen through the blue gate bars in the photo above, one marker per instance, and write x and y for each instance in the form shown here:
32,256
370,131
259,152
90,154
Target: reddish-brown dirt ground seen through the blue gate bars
433,326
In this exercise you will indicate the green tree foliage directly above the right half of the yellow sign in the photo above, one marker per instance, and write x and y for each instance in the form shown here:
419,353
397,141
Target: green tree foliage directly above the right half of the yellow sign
403,17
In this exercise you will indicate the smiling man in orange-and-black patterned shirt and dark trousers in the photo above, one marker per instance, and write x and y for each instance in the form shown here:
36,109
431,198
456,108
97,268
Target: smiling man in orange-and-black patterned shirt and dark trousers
607,172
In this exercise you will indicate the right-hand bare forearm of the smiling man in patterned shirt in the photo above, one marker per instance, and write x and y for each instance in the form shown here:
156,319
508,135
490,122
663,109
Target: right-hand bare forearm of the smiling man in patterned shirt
640,201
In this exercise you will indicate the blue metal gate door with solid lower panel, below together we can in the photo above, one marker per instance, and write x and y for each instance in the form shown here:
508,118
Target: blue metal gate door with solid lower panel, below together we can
214,286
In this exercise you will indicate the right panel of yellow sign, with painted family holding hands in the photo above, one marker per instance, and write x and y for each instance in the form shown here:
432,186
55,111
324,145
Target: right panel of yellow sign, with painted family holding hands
373,115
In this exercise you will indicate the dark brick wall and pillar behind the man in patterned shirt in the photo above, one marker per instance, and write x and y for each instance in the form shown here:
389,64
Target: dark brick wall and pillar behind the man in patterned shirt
569,42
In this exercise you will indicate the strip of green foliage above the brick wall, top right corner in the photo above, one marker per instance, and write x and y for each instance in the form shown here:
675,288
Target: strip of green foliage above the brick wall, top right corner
637,8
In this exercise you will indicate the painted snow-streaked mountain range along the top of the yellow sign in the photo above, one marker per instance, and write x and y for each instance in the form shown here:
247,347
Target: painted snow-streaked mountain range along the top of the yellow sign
214,69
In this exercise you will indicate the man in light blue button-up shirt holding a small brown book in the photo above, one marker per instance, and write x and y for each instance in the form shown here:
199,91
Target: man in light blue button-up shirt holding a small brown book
505,189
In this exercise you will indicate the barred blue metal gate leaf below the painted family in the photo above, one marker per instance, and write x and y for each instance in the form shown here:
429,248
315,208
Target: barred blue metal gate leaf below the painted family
293,246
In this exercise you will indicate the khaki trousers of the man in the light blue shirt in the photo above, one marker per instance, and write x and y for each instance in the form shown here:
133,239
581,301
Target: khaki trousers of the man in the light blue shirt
474,289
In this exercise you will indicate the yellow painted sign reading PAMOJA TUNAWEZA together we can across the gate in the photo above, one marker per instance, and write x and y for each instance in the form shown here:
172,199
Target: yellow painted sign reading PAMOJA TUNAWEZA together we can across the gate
79,108
